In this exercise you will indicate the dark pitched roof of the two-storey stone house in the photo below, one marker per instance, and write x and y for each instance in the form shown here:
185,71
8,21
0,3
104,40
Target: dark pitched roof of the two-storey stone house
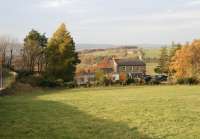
129,62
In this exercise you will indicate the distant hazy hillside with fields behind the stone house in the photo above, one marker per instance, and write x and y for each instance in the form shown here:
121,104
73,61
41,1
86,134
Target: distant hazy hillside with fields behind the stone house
90,54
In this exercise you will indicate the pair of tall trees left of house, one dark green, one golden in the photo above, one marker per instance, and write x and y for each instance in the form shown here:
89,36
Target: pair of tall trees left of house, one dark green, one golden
53,59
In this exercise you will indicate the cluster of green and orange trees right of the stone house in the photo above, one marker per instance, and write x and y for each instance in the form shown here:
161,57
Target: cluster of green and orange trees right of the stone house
181,62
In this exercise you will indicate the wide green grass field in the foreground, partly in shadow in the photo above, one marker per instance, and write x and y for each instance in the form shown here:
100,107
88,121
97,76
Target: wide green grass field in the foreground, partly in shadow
160,112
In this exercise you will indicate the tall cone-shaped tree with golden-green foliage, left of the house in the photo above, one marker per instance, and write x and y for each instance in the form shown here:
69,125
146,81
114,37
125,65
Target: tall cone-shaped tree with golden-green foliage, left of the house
62,58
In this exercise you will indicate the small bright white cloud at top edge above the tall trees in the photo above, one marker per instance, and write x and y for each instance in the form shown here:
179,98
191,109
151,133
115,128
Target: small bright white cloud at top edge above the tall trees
54,3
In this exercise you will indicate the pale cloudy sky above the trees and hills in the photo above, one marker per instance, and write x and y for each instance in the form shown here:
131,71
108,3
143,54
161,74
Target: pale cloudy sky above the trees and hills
105,21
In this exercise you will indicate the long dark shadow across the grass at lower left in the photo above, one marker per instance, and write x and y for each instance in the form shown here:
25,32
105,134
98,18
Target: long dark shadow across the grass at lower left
52,120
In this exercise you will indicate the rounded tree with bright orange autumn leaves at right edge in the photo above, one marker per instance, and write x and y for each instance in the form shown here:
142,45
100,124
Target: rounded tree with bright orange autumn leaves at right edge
186,62
